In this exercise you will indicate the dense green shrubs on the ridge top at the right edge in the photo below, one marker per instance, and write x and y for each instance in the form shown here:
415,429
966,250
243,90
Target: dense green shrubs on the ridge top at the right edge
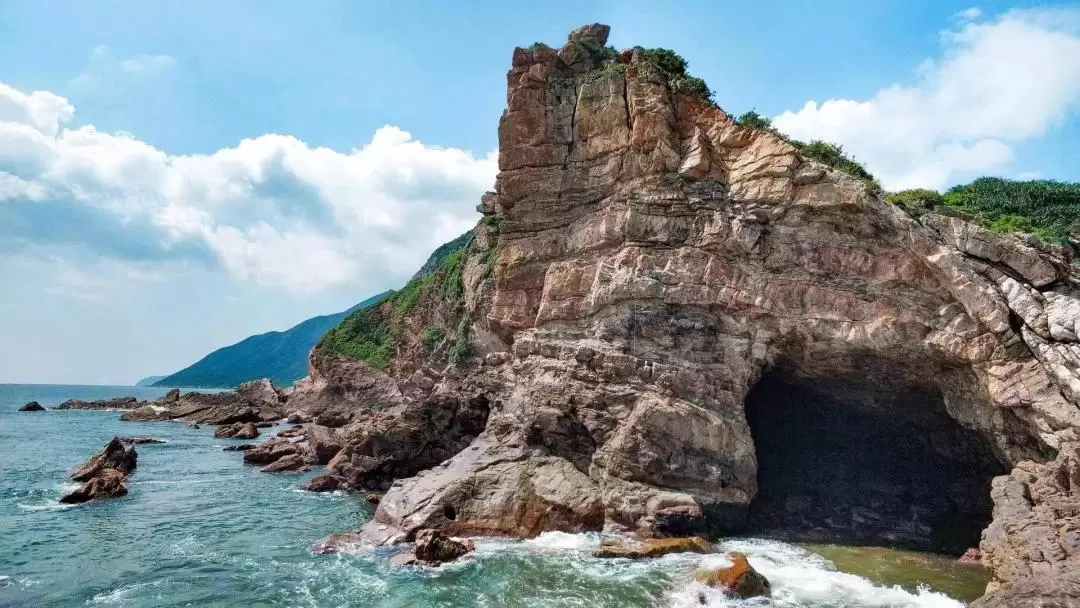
1047,209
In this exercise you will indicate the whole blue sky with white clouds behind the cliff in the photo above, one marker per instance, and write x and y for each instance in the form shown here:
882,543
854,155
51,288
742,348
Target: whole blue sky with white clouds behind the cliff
177,177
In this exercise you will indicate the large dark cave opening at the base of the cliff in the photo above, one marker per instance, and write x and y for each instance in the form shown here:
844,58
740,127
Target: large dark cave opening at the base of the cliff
858,462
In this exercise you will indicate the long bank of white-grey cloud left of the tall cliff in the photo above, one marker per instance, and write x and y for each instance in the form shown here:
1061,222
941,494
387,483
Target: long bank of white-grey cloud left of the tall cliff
272,210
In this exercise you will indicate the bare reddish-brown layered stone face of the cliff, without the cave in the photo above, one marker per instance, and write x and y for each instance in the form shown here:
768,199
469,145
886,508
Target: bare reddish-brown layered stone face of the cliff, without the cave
654,260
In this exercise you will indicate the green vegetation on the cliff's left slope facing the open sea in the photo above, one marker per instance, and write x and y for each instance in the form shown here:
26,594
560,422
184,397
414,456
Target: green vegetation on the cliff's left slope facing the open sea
373,335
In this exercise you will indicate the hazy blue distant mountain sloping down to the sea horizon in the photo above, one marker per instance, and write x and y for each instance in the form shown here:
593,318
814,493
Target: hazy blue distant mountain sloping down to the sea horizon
279,356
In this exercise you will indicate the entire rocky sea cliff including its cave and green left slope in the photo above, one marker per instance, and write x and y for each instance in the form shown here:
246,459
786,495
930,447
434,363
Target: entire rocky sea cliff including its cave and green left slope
669,322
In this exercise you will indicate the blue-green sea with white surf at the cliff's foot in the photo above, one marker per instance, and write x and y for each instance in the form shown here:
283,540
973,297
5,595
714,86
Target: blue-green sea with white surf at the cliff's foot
201,529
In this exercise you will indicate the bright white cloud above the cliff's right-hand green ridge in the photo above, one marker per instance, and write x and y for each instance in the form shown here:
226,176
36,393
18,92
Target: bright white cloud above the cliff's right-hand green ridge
998,83
